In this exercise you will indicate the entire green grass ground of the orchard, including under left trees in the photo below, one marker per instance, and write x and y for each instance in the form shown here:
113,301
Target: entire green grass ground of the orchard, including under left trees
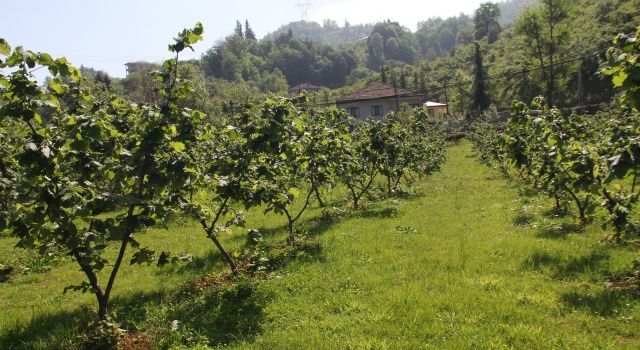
464,261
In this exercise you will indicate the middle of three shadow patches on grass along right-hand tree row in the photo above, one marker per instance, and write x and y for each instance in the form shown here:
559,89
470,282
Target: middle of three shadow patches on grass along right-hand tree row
567,267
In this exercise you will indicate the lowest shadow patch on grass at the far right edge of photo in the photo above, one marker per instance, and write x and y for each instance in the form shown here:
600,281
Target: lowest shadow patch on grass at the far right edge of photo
603,303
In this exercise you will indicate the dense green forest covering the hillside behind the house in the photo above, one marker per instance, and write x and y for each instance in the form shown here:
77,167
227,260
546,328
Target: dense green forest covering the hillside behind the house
514,50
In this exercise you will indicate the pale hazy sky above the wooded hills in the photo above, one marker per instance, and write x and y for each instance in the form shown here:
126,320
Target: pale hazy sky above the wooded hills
106,34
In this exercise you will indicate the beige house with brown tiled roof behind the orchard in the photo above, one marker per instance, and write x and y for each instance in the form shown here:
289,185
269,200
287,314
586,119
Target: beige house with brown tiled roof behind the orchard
377,100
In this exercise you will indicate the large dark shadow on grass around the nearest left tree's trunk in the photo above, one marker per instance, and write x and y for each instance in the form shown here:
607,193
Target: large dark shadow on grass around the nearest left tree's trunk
213,316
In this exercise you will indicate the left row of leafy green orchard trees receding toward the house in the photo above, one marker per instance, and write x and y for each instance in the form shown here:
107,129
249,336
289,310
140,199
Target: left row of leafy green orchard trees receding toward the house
80,171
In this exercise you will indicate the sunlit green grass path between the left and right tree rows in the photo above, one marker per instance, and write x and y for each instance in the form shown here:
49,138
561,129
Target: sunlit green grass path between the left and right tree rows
451,270
